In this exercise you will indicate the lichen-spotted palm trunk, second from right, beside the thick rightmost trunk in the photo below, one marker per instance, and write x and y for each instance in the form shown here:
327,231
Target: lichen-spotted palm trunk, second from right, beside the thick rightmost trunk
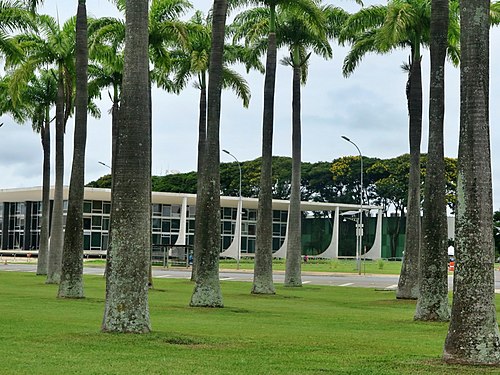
433,298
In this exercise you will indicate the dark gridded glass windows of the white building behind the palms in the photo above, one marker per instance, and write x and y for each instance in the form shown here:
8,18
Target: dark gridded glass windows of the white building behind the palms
24,219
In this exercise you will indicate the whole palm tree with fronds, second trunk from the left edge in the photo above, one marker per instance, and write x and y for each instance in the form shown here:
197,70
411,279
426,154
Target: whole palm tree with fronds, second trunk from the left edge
52,45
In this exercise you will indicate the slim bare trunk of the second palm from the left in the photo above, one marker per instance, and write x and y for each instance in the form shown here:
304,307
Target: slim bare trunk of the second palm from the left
56,232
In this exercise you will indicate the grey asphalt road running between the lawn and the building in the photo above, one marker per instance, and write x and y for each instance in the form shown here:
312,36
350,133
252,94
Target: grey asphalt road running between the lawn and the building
383,282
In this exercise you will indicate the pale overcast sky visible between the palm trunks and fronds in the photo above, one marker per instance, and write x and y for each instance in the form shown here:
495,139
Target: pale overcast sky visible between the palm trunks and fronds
369,107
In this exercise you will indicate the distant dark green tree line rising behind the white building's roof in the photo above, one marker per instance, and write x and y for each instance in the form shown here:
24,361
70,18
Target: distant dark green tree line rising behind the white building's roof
385,181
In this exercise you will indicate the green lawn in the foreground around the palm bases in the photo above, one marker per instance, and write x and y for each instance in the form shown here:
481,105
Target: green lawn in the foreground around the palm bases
308,330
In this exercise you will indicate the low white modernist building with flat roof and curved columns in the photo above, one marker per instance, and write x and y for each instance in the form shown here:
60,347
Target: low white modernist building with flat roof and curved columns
173,216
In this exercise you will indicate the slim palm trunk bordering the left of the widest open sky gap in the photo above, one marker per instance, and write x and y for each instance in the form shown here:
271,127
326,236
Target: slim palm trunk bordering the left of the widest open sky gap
294,248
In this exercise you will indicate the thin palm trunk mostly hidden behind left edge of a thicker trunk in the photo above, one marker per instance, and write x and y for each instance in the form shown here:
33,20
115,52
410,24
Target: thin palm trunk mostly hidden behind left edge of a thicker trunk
202,154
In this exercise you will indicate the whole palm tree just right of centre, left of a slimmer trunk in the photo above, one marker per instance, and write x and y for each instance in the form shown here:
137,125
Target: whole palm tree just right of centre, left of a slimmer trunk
251,25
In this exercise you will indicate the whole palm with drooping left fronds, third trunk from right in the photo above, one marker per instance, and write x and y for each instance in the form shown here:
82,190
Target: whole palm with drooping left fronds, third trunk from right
381,29
